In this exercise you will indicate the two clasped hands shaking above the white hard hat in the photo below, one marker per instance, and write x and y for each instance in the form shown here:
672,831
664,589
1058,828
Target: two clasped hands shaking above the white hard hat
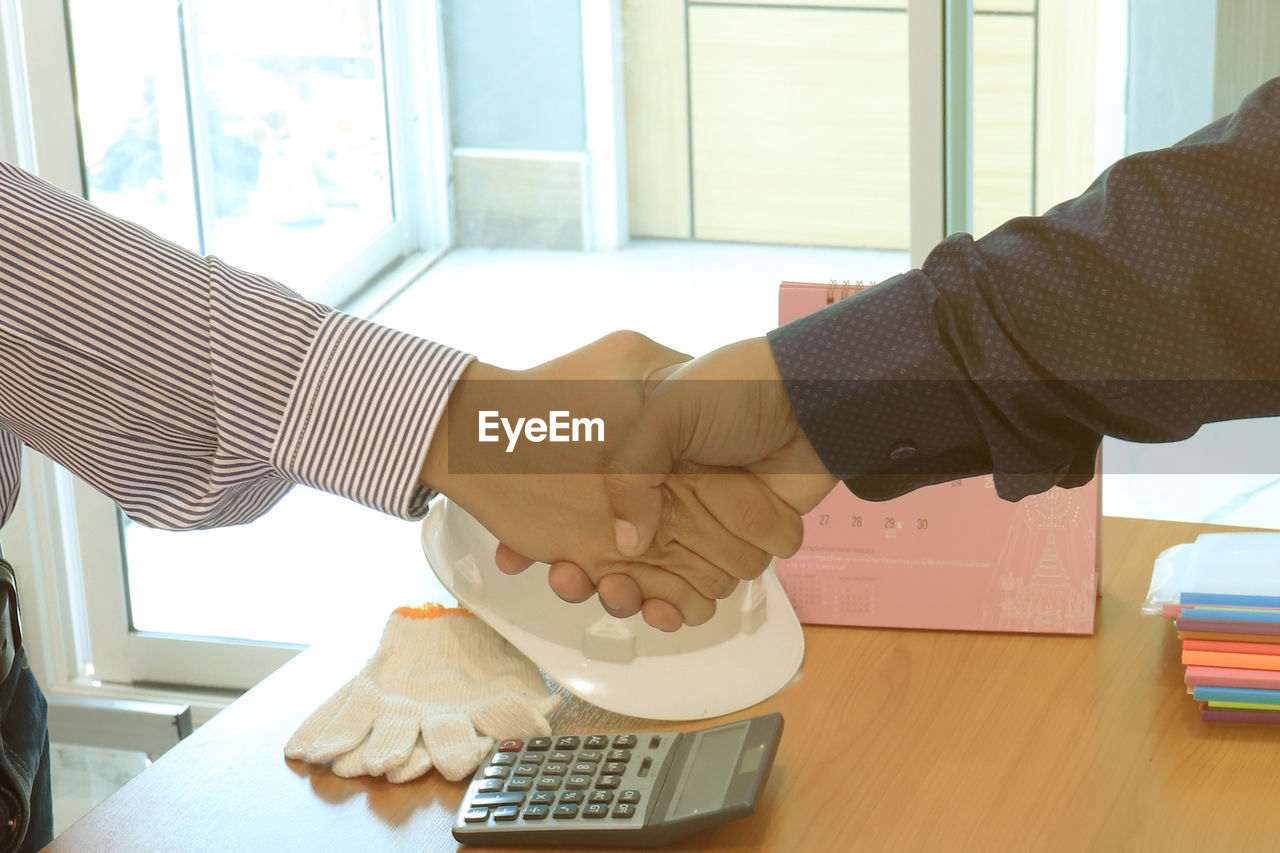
652,480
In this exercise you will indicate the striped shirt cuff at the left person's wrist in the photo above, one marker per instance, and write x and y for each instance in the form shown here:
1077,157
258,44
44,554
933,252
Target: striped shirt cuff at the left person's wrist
364,412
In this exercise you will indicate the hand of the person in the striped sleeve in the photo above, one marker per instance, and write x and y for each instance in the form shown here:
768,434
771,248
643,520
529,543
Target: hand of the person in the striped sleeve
548,501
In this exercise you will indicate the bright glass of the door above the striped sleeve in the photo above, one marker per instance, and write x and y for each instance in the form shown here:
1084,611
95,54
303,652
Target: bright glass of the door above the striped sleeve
255,131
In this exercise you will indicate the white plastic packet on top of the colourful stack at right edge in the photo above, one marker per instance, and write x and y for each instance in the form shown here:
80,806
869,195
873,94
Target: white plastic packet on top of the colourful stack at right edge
1235,564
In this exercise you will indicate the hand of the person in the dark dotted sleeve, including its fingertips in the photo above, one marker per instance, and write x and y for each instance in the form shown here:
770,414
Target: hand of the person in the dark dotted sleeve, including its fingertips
729,408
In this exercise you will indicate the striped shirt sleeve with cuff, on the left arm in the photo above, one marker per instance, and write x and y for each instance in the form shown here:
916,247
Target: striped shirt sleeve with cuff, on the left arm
193,394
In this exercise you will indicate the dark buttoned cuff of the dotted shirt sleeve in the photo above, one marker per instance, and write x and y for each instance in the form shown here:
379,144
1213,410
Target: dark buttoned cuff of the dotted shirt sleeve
881,400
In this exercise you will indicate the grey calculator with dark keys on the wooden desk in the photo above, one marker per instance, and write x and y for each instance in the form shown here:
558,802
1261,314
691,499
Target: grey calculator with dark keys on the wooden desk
633,790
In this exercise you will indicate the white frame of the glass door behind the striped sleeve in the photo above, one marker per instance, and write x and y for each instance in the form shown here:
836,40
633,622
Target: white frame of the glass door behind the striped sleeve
66,536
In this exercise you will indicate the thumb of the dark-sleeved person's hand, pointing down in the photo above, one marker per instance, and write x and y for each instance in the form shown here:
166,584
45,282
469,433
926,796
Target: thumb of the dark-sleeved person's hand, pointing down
638,469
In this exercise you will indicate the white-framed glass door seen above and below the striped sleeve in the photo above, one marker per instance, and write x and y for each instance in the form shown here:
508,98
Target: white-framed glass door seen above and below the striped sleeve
275,135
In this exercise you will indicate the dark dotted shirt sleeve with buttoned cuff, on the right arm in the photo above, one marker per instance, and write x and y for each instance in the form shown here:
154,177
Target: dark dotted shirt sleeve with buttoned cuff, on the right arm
1144,309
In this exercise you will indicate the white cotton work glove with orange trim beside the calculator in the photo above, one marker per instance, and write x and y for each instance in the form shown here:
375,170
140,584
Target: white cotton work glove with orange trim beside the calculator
438,691
